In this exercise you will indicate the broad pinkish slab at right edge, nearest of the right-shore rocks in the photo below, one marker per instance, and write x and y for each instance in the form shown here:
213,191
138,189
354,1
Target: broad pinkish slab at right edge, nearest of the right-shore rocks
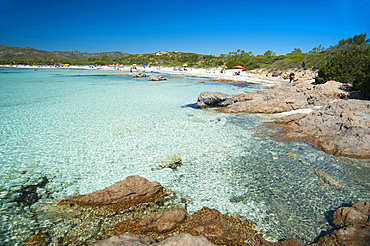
341,128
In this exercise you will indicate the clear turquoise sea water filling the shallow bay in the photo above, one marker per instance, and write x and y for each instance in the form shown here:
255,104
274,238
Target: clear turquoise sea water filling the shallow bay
72,132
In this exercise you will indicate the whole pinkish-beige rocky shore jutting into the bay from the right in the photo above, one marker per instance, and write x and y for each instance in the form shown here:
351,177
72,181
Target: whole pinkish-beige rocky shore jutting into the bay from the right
328,115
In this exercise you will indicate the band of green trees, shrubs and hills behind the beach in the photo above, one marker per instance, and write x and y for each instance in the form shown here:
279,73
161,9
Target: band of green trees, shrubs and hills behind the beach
347,62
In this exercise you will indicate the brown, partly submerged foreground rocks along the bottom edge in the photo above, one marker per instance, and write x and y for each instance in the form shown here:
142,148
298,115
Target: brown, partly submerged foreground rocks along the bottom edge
138,212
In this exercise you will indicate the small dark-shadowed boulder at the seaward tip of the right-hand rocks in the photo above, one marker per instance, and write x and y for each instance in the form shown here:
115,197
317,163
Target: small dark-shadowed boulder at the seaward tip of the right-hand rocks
214,99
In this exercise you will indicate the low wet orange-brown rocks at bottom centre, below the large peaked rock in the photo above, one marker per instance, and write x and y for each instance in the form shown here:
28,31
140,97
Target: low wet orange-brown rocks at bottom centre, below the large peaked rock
217,228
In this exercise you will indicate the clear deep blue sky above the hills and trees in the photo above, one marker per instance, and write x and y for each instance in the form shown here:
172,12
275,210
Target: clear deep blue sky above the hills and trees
207,27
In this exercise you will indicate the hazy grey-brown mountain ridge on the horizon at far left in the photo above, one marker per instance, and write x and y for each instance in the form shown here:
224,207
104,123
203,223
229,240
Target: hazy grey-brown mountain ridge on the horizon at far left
7,52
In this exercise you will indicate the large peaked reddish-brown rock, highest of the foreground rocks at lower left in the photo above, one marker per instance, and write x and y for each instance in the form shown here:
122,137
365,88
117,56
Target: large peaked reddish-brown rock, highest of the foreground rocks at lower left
129,192
